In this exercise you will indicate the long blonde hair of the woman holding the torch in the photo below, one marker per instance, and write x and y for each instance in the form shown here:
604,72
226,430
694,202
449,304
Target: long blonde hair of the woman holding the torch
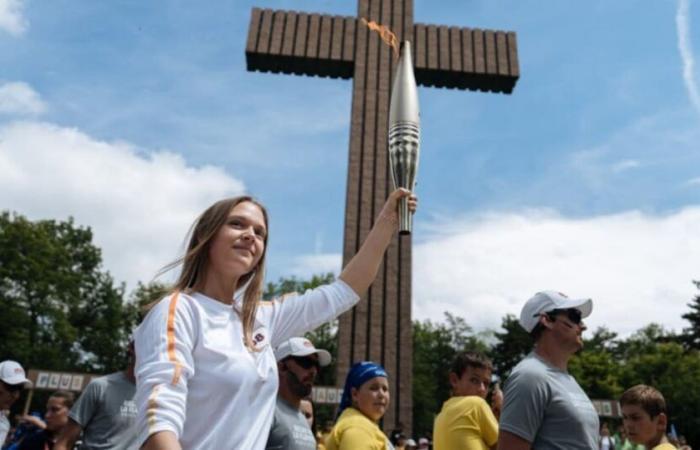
195,261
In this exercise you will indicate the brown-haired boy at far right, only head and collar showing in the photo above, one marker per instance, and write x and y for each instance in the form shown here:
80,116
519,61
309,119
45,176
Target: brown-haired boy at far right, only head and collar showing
644,417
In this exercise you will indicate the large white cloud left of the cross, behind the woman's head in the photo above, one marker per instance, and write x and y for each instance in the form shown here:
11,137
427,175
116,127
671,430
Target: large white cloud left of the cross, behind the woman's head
139,204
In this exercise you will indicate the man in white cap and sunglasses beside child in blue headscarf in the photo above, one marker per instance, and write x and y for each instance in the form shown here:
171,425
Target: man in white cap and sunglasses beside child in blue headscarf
298,363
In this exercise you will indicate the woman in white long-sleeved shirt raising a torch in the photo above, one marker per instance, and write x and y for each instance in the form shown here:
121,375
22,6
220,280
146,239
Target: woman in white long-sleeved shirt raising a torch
205,369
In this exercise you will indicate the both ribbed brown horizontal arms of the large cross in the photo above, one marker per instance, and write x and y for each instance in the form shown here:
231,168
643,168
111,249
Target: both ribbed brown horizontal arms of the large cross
324,45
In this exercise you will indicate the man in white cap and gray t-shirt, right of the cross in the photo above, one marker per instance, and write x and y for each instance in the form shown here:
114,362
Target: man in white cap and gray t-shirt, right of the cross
544,406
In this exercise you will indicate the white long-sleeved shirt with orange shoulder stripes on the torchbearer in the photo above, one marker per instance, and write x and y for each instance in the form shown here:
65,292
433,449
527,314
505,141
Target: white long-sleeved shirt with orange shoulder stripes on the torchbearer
196,378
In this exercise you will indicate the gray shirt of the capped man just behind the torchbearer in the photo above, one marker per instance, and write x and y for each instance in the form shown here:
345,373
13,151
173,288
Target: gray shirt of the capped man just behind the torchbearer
290,430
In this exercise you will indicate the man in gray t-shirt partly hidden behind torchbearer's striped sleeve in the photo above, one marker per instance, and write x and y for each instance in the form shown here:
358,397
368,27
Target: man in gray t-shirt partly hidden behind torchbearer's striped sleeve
105,413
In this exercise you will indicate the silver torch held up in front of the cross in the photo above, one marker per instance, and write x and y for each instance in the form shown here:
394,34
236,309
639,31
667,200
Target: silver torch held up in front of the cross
404,133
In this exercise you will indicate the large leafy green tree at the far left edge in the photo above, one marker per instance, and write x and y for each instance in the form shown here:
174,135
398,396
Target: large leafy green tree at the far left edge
60,309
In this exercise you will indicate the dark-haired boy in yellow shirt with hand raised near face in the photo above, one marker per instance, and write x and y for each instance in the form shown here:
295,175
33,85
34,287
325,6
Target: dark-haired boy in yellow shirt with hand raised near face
466,422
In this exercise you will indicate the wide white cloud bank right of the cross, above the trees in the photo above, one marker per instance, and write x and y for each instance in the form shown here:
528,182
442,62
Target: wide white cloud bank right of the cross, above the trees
637,268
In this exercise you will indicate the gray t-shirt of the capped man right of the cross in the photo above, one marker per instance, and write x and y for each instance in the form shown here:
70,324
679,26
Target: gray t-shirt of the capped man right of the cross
547,407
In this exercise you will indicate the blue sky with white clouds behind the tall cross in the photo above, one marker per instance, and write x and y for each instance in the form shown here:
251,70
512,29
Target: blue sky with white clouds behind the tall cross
134,116
